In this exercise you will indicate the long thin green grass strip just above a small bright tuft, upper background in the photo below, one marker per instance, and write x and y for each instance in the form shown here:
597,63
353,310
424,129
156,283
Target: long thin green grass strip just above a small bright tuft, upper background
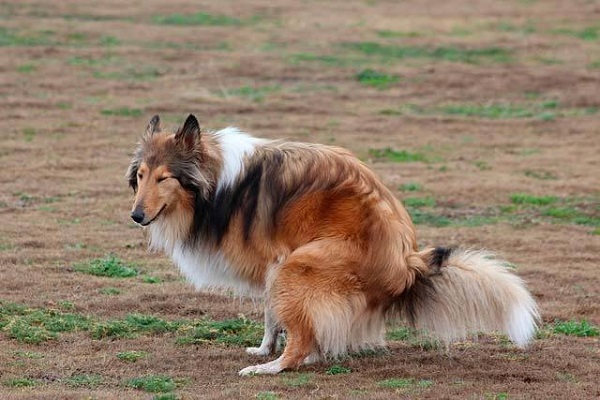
388,53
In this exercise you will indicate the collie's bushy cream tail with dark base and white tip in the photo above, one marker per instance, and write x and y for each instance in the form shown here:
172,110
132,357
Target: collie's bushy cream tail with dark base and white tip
469,292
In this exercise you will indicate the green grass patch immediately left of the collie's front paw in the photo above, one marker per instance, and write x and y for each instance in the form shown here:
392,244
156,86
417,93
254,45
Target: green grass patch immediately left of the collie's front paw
236,332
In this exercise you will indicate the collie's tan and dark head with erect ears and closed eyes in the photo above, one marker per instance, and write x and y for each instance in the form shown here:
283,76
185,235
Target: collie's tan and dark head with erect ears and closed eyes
166,171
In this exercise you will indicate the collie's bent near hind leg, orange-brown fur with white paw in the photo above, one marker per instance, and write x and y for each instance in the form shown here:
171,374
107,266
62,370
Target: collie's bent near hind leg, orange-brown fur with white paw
315,299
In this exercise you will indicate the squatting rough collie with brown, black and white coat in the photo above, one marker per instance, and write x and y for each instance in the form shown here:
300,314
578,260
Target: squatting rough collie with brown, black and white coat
315,232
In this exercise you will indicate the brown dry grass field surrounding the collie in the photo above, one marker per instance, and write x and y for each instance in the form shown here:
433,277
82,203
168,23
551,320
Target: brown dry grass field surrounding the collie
495,98
